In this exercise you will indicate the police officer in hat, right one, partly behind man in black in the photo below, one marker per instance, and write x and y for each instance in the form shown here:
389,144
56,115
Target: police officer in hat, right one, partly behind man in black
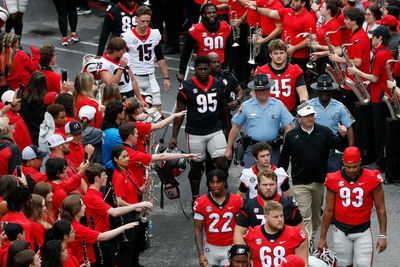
332,114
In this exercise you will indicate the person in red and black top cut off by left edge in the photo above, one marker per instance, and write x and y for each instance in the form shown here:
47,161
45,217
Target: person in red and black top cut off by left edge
10,155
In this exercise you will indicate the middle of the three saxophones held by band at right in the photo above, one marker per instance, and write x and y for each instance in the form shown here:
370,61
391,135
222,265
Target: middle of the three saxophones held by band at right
358,86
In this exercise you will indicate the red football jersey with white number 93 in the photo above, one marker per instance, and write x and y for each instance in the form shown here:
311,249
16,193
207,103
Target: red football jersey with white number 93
353,197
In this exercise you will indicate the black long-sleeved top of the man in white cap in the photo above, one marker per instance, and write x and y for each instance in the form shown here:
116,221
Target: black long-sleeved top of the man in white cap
308,153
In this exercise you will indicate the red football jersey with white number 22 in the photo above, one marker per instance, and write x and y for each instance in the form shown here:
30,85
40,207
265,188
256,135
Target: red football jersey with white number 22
219,220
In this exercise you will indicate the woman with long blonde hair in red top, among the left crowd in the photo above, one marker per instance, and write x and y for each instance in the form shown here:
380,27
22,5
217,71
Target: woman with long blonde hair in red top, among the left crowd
83,95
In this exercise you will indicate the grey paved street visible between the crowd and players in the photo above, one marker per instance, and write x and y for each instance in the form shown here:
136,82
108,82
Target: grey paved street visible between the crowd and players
172,244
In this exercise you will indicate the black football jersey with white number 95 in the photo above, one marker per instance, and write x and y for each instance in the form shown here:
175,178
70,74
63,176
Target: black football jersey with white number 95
203,105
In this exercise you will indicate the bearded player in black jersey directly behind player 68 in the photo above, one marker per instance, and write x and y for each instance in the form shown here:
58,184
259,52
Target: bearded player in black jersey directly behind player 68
252,212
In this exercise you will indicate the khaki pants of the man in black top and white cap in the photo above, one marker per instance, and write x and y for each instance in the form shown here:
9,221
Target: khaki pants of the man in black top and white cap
310,198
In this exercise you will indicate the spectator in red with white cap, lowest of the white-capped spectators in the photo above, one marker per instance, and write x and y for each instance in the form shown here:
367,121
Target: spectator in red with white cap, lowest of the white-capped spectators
32,159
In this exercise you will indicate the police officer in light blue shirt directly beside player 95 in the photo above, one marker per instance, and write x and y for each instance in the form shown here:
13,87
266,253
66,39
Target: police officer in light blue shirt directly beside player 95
263,116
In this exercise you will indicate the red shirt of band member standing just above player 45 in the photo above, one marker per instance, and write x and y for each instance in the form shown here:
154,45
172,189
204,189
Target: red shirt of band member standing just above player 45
294,24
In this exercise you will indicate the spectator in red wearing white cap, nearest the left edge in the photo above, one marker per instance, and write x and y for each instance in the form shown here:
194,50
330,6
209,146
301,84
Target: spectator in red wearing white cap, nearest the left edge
21,134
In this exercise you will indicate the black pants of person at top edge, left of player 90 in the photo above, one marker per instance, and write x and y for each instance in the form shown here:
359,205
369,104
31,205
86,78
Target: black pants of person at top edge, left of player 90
170,11
